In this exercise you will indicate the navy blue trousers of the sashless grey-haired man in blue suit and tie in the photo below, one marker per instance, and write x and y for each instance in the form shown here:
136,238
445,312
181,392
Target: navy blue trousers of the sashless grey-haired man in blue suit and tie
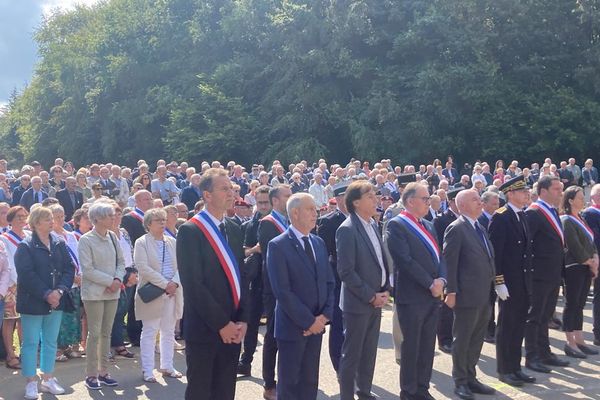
298,368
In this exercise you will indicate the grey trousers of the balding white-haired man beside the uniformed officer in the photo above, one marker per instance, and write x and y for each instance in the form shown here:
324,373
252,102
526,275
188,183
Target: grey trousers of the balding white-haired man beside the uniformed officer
470,325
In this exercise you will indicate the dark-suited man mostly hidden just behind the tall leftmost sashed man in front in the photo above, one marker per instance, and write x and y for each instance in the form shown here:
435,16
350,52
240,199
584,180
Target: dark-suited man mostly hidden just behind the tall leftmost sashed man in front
253,265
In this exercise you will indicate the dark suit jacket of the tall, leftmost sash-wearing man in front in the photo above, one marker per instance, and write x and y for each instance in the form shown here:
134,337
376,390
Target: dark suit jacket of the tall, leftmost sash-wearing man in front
208,301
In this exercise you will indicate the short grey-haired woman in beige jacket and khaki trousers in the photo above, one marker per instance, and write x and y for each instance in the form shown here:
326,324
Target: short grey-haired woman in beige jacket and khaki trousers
103,268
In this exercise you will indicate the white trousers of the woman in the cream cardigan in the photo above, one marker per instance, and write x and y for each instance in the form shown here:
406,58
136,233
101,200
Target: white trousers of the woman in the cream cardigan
166,326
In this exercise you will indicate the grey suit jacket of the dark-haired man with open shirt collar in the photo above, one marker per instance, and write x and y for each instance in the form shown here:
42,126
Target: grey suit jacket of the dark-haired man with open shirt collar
358,266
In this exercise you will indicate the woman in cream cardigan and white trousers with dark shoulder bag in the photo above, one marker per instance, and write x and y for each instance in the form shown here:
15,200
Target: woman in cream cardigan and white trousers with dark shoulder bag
155,258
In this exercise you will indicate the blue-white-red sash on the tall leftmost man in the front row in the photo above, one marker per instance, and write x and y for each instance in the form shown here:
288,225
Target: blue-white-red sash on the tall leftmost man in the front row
221,248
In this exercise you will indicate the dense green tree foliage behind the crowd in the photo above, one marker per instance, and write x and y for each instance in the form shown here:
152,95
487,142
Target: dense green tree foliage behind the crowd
255,80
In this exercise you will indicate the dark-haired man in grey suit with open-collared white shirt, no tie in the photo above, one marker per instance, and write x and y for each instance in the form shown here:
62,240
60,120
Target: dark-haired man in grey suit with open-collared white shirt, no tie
364,273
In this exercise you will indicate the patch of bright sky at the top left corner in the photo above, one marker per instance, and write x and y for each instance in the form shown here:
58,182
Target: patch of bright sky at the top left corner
18,52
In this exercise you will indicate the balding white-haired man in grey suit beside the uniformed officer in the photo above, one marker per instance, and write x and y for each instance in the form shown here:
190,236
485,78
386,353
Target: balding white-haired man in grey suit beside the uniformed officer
469,257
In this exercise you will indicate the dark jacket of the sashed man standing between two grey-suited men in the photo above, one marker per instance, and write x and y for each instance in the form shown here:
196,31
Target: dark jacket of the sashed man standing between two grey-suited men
414,266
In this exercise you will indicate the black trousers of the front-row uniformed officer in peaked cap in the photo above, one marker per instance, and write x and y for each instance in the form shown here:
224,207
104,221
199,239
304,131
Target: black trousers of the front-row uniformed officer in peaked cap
512,316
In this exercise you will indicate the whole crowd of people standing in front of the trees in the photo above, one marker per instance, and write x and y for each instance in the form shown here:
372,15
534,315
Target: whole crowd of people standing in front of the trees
103,258
